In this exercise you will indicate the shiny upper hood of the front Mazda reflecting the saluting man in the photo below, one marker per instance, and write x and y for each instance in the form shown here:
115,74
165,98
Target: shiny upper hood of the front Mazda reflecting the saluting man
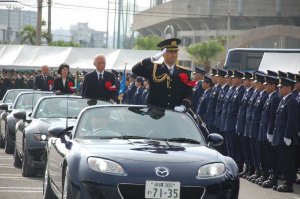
149,150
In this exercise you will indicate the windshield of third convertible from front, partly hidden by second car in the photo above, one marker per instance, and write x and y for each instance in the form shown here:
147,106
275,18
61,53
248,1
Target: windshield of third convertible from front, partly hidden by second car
28,100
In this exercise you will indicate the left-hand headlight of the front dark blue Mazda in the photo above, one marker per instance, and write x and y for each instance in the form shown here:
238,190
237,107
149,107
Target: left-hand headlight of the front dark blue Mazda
105,166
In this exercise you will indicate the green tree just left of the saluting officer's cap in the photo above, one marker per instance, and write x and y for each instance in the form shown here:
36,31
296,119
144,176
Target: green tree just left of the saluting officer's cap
147,43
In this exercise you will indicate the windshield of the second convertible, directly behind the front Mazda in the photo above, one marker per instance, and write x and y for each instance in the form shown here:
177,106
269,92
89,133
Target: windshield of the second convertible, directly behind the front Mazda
61,107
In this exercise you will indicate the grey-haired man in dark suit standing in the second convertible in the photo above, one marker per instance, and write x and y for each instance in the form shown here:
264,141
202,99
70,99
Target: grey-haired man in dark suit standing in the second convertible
99,84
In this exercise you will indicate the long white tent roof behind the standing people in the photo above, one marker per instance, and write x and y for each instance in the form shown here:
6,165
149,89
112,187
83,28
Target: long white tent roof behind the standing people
31,57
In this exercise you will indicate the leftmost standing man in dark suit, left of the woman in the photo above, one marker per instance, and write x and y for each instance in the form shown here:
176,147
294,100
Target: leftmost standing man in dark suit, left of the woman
43,82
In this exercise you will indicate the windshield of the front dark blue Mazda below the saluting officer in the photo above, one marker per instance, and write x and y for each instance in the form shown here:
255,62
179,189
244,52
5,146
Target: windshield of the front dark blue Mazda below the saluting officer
137,123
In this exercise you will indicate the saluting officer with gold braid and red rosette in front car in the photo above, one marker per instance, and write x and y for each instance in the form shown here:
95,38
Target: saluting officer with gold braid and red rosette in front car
170,84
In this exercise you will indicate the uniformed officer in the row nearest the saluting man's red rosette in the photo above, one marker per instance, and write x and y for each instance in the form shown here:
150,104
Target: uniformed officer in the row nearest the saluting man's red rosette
197,90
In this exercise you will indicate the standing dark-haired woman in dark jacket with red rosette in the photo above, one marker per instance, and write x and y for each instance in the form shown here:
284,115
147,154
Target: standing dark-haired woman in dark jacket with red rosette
64,84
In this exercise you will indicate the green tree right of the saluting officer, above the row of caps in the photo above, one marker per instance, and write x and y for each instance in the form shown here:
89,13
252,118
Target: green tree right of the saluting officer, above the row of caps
204,52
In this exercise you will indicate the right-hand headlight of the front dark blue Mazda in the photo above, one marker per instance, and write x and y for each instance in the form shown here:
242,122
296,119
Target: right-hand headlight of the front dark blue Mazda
211,170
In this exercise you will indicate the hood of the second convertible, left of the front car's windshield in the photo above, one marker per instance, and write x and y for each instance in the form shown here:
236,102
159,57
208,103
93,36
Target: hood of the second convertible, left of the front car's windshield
44,123
